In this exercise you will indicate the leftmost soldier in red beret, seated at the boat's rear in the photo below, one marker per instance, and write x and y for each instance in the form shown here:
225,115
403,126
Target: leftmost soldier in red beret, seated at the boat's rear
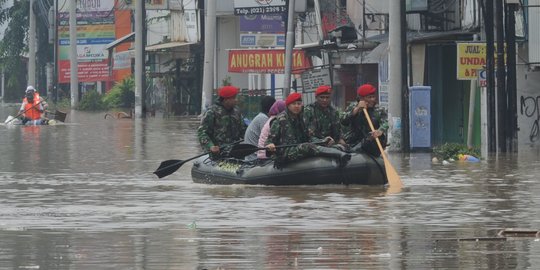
222,124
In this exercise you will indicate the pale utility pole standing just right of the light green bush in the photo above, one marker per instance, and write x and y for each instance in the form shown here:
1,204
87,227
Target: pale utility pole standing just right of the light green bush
140,39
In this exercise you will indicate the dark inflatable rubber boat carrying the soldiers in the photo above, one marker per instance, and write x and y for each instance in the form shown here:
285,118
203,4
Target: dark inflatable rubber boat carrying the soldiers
362,169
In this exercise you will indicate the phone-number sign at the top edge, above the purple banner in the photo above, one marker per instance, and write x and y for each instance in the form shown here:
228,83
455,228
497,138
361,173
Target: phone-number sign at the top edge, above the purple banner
250,7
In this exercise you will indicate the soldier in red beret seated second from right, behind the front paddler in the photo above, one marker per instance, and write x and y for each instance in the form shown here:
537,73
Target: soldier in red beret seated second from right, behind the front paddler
322,119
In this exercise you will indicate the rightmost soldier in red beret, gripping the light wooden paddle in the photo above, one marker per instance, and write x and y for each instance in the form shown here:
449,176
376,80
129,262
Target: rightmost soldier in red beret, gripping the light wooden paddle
360,136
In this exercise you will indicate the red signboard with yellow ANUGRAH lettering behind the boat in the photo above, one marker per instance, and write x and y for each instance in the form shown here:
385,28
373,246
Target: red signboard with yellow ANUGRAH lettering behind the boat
266,61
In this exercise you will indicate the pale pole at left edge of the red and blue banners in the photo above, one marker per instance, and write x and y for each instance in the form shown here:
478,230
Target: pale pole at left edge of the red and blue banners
74,79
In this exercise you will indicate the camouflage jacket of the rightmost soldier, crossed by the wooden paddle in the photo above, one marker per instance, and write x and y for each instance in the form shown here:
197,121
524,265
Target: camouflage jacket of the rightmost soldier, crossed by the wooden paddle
357,125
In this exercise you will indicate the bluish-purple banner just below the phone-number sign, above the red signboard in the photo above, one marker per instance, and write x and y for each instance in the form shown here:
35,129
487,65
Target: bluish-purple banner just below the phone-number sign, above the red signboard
272,23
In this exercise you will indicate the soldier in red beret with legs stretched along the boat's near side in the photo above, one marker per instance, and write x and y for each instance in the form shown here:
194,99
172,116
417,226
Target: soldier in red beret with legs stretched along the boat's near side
289,128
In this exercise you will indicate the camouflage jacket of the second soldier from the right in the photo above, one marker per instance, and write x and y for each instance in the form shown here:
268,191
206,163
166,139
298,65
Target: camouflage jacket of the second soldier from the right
322,122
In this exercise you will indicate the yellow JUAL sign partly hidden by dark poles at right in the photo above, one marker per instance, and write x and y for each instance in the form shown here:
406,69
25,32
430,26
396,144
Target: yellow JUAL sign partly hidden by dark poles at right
471,57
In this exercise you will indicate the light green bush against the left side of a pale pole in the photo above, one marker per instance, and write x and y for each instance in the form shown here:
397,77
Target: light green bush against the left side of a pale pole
121,95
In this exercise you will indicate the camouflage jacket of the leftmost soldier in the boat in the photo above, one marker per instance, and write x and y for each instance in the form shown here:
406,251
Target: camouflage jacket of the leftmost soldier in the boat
220,126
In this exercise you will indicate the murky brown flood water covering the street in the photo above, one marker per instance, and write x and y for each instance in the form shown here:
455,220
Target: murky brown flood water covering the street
82,196
